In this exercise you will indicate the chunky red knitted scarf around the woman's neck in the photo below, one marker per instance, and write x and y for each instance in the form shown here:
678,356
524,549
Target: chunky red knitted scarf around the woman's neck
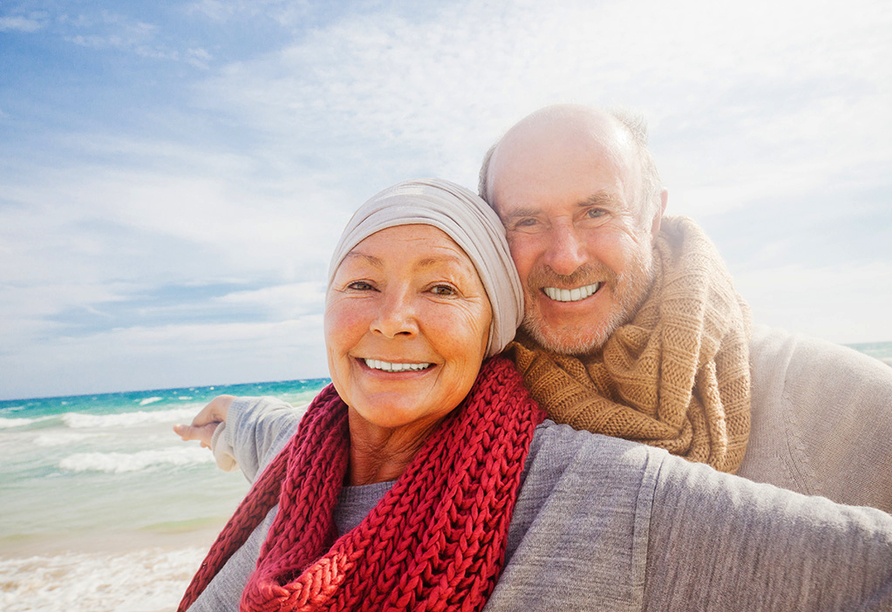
435,541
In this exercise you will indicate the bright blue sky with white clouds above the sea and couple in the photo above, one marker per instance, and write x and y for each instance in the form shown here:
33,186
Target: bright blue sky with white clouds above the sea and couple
174,175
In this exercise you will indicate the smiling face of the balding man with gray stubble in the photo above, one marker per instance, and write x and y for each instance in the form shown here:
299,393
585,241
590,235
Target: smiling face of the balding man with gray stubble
572,213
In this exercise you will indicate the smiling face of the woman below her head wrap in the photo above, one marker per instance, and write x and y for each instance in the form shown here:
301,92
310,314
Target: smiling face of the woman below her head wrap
406,327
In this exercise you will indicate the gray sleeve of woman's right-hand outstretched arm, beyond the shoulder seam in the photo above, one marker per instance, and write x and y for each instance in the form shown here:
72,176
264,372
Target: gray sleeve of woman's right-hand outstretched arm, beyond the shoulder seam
718,542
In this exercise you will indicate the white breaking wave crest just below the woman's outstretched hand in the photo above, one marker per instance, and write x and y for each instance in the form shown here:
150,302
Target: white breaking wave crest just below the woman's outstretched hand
119,463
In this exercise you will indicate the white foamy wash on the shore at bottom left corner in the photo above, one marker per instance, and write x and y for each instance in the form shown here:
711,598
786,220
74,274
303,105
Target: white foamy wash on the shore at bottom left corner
142,580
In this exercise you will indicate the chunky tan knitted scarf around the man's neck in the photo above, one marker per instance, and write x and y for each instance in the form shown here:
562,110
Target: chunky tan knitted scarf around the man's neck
677,376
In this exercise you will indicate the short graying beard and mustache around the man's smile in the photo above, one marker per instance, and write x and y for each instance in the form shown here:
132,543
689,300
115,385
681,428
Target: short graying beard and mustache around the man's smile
629,290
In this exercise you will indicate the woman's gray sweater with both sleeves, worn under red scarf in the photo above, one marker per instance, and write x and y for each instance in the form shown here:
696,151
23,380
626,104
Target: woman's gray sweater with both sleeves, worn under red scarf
605,524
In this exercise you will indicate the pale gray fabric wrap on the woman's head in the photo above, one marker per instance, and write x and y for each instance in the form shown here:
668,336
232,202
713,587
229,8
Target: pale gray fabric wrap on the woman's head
465,218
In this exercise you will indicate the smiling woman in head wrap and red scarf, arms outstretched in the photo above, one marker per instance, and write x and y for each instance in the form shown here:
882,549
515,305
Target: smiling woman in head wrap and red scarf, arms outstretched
425,477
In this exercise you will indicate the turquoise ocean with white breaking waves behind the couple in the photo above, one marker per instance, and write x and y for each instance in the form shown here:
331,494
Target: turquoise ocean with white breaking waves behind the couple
103,507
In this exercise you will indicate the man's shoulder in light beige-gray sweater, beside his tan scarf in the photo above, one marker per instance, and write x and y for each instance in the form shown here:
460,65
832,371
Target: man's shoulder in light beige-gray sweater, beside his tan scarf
821,419
